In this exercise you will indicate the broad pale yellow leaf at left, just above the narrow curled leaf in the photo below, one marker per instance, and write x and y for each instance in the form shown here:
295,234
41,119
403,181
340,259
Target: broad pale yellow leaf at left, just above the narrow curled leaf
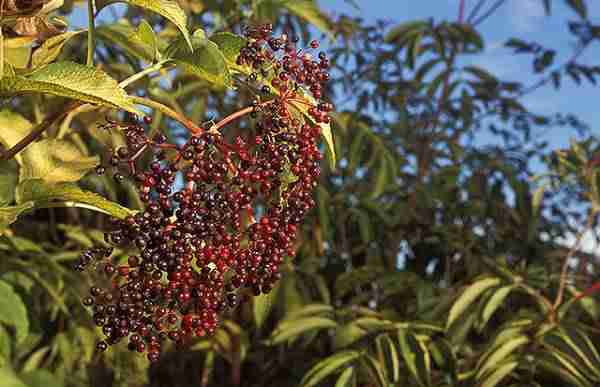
55,161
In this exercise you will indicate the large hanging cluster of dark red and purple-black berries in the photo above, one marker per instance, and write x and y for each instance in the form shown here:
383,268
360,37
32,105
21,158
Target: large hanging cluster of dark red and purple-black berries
220,215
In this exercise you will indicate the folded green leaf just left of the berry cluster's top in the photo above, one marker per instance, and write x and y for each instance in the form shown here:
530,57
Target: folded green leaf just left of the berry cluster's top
206,61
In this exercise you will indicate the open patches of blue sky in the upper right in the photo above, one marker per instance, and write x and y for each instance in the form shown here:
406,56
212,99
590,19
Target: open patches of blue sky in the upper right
523,19
